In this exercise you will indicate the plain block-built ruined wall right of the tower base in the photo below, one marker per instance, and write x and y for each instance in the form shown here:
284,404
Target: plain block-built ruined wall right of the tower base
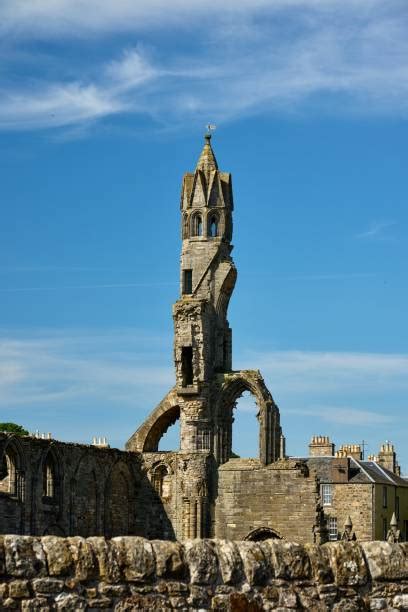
281,496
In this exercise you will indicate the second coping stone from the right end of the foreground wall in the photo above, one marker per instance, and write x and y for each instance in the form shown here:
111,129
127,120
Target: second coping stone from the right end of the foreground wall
348,564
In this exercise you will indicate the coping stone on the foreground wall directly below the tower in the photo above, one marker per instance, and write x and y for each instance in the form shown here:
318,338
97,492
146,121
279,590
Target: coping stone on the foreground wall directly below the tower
202,561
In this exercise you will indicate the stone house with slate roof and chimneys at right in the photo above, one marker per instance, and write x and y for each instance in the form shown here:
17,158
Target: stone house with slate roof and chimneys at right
369,492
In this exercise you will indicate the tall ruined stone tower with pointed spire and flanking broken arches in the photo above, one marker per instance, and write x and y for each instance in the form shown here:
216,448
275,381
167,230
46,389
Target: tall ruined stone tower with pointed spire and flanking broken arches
207,387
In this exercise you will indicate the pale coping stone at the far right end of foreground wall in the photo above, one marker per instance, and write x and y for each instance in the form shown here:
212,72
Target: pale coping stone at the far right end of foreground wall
386,561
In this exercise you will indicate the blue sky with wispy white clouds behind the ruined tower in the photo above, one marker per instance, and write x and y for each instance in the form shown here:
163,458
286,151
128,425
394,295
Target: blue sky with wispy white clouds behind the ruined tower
103,107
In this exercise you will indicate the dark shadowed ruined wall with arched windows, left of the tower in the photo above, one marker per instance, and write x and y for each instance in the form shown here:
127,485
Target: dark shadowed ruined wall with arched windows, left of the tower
72,489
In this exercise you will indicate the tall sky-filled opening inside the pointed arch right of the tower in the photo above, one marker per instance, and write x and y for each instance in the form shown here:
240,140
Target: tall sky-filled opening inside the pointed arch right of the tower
245,427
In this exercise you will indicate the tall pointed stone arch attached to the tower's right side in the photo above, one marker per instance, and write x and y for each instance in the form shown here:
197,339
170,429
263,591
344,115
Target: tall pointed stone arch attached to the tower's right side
233,386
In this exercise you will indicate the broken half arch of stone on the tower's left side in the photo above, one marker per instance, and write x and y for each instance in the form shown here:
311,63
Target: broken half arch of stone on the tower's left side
147,437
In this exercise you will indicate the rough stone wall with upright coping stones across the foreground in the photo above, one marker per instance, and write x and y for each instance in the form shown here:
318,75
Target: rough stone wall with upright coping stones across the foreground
130,573
